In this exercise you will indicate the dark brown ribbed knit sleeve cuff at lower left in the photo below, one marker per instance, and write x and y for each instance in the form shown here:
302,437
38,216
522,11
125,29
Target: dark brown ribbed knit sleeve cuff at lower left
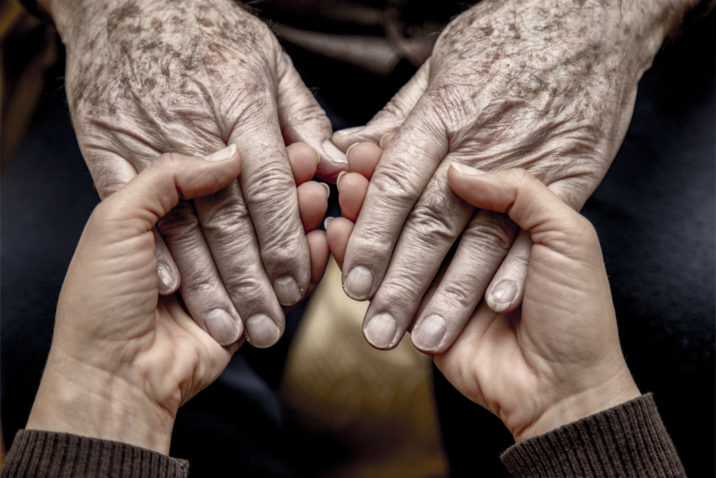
36,453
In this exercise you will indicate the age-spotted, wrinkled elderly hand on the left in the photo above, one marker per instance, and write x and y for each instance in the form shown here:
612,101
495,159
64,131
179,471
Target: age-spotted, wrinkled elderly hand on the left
151,76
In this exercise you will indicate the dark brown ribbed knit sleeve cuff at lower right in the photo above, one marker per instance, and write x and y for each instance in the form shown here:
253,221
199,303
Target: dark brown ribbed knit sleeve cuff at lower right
627,440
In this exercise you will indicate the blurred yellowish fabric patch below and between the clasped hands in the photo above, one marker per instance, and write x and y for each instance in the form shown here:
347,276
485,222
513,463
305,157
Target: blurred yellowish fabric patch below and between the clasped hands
376,405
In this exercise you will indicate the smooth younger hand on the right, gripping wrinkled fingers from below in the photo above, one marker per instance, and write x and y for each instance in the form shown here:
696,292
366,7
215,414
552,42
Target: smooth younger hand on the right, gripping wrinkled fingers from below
556,358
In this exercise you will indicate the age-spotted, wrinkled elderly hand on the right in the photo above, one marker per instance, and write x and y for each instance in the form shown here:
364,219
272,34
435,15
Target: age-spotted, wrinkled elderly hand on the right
545,86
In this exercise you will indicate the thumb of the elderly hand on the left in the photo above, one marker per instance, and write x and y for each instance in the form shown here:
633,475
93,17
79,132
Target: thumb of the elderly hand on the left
302,119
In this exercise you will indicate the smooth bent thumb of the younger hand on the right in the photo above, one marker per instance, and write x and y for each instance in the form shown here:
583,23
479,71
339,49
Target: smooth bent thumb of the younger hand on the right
528,202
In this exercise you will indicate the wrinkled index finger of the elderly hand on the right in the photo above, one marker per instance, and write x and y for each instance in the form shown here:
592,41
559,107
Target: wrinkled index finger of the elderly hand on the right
406,166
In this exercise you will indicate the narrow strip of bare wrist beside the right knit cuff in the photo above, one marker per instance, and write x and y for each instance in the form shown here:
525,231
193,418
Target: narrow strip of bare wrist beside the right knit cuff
617,389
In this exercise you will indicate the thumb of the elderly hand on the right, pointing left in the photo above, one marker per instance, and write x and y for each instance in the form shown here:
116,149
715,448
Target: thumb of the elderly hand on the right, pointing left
391,117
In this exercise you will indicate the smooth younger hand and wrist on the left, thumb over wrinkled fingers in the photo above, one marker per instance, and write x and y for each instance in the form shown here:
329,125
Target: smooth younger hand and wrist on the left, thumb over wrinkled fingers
123,358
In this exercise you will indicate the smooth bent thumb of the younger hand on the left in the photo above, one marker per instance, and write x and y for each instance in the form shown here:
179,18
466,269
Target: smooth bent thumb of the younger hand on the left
138,206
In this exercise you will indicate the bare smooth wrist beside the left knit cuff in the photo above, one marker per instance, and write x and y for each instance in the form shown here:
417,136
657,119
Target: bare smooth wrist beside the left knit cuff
80,399
